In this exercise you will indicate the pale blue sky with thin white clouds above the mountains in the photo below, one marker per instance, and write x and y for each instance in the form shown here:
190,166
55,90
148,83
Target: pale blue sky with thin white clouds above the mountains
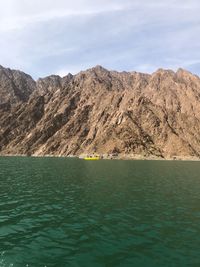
43,37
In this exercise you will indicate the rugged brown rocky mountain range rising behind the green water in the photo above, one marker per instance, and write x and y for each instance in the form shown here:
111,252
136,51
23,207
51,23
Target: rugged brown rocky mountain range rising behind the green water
101,111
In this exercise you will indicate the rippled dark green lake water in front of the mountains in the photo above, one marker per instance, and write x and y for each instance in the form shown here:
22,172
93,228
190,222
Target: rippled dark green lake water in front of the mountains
70,212
